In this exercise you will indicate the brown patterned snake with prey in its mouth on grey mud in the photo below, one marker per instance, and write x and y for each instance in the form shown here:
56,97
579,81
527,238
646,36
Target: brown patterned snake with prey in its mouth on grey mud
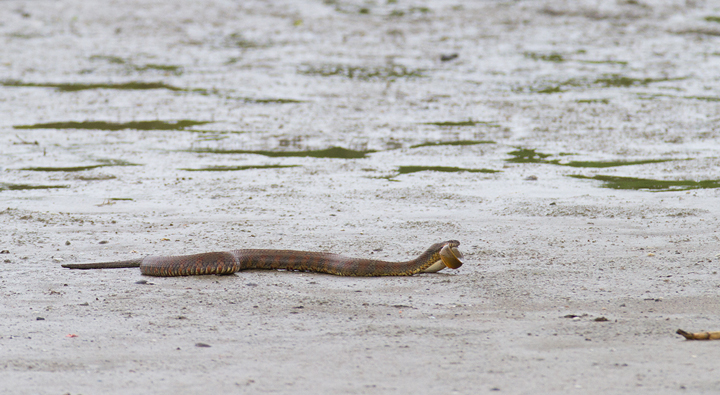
434,259
